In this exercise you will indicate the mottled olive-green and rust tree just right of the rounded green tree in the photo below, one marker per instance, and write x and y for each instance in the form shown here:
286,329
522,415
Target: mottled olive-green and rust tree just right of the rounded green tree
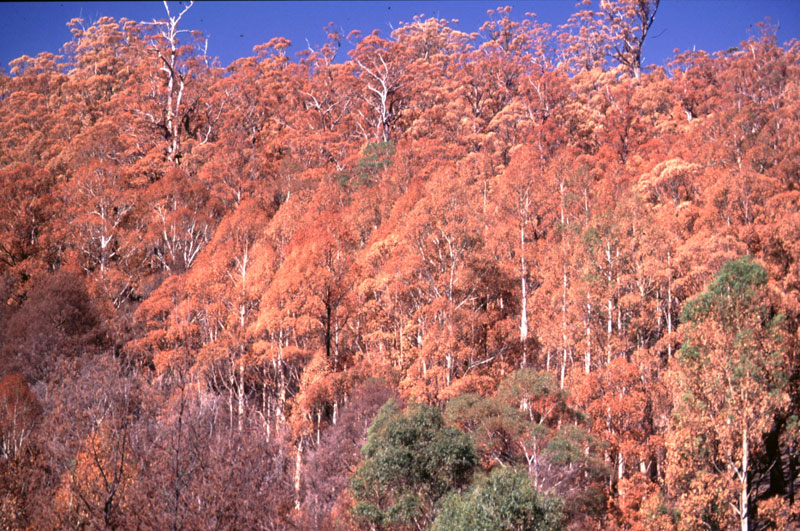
528,423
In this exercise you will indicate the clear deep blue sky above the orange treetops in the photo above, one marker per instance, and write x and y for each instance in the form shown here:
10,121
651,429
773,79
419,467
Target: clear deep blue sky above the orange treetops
234,28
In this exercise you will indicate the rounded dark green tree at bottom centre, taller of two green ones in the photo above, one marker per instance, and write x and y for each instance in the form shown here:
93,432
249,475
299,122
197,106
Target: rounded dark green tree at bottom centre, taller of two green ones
410,460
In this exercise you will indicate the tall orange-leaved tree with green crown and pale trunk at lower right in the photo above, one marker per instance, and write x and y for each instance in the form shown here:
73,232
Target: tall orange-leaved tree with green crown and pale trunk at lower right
729,382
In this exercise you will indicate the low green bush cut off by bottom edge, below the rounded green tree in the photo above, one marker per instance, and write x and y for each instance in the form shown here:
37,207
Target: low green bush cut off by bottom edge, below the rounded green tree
505,500
